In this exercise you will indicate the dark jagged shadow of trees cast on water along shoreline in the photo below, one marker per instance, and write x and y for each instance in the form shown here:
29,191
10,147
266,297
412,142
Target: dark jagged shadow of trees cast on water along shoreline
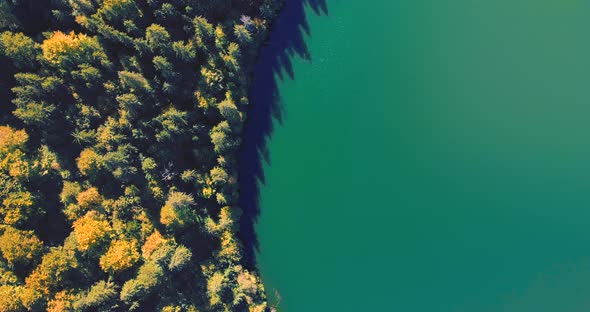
285,43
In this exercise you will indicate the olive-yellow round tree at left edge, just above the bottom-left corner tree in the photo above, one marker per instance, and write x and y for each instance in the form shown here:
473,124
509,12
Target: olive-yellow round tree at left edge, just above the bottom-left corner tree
20,247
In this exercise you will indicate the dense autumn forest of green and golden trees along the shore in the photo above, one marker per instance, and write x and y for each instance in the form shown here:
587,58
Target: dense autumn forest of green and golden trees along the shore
119,126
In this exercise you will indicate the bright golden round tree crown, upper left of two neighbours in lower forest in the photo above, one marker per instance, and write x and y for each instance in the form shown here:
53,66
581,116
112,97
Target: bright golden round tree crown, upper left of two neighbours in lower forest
91,230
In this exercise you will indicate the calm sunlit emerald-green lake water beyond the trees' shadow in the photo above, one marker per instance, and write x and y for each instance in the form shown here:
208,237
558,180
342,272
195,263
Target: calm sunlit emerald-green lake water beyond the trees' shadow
433,156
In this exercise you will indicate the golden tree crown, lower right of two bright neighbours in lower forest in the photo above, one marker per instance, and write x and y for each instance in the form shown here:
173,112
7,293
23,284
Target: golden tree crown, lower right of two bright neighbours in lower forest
120,256
